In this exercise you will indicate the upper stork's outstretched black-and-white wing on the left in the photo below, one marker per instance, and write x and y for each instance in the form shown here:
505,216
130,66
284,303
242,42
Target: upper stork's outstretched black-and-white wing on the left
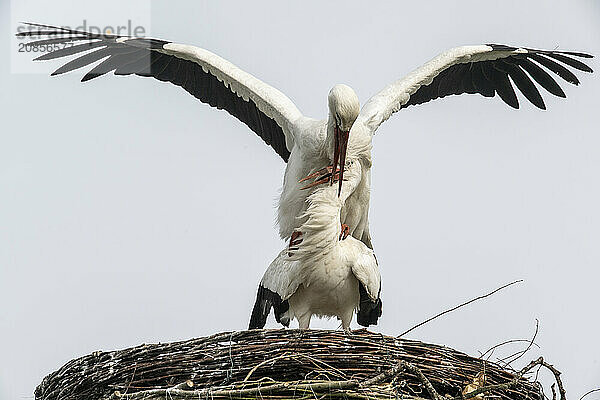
206,76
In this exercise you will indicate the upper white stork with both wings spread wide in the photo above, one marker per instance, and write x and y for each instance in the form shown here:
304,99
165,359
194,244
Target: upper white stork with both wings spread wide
310,145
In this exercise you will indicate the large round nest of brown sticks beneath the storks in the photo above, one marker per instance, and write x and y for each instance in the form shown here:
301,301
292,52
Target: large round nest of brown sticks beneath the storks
290,364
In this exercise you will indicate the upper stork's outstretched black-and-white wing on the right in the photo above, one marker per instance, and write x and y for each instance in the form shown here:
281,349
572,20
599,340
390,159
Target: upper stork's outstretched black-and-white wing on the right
481,69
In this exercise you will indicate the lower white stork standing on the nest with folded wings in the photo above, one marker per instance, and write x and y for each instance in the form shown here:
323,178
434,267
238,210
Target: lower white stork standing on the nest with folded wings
324,276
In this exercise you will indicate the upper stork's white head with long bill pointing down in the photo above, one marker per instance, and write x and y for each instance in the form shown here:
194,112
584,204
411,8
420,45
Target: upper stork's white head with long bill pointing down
343,110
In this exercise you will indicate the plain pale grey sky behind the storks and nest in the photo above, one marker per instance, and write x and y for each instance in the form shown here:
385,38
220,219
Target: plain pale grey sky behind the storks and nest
132,213
